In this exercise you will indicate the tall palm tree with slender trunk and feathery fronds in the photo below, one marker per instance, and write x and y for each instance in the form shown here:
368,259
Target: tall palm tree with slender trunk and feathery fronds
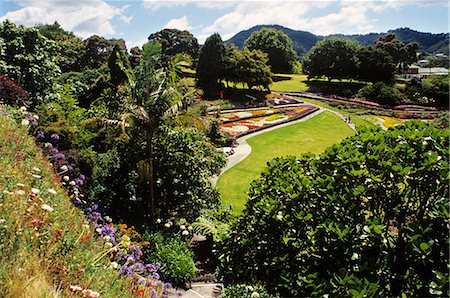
156,92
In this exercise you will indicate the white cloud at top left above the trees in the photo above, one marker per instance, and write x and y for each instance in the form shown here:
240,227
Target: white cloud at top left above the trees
84,18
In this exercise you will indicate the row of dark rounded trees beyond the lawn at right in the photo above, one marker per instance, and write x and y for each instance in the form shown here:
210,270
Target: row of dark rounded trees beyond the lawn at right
338,58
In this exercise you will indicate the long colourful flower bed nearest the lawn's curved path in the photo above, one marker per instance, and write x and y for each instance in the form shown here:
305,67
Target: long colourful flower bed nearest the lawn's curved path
240,127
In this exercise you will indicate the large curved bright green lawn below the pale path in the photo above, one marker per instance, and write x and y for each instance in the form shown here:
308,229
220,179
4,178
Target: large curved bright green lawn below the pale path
313,135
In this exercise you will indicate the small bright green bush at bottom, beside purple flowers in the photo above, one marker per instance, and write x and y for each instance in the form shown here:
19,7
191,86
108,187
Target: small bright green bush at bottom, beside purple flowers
174,255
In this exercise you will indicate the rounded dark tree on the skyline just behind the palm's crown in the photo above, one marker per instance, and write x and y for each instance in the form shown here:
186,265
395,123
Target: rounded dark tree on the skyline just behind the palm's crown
174,41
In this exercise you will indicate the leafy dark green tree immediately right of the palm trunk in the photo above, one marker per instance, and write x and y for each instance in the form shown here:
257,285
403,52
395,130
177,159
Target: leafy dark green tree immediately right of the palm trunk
183,162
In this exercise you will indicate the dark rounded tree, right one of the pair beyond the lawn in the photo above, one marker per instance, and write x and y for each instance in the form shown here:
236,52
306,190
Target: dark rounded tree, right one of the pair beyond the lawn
375,65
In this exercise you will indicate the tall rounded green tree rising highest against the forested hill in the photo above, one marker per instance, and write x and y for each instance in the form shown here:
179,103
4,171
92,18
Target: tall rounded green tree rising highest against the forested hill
277,45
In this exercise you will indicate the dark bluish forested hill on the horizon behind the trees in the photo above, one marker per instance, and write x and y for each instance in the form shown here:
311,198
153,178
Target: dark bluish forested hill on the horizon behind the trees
303,40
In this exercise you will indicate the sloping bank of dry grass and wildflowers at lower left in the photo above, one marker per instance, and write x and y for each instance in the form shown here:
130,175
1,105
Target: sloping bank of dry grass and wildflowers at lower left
43,252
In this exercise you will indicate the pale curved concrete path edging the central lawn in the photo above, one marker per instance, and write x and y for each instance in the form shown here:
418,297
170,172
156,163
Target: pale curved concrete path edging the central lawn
242,149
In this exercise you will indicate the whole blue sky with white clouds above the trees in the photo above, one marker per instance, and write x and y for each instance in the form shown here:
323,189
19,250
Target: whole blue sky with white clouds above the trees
135,20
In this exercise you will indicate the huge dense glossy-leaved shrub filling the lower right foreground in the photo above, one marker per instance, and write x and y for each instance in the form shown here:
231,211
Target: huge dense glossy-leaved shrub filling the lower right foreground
369,217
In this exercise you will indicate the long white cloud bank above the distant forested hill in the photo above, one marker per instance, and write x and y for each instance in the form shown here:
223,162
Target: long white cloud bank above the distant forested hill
346,16
